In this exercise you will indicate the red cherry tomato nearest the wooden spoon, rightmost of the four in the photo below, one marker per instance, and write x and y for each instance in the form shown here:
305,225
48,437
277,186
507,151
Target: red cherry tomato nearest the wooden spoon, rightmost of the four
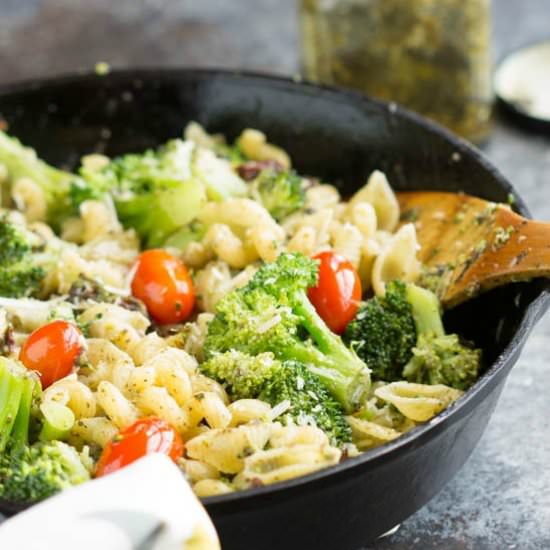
338,292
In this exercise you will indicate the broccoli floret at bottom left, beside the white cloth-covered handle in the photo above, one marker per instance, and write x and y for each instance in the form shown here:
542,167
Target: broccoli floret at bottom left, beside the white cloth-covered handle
40,471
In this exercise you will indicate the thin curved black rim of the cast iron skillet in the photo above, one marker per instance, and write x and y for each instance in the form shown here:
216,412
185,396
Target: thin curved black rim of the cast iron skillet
333,93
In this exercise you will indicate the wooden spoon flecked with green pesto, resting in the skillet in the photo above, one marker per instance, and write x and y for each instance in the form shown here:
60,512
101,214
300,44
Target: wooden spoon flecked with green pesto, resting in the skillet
469,245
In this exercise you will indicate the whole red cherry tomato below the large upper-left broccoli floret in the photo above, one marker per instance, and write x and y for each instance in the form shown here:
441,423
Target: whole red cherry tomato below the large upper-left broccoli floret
164,285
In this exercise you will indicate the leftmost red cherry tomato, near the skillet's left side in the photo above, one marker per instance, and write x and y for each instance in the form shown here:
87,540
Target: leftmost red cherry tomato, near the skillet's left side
52,351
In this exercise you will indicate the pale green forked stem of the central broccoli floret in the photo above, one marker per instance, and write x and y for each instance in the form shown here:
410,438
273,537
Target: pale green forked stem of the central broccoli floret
344,374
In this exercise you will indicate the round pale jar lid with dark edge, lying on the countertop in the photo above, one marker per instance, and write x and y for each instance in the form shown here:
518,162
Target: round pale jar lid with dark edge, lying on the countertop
522,85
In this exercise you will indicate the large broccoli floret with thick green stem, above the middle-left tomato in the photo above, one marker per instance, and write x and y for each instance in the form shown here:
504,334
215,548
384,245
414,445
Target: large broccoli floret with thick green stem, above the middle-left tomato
153,192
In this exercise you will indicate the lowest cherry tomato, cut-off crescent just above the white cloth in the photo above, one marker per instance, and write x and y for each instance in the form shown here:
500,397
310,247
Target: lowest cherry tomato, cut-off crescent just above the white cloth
143,437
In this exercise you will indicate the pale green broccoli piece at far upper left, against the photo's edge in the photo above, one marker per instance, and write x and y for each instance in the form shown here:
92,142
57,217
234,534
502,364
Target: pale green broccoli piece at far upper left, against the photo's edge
22,162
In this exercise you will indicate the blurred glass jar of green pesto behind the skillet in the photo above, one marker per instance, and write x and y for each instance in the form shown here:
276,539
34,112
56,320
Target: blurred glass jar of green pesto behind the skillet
431,56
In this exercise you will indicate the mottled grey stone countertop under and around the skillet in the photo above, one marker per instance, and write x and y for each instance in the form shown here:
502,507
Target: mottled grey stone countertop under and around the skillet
501,498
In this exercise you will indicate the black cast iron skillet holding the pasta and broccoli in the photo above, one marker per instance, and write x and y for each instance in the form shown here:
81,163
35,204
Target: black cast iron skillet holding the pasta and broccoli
340,136
